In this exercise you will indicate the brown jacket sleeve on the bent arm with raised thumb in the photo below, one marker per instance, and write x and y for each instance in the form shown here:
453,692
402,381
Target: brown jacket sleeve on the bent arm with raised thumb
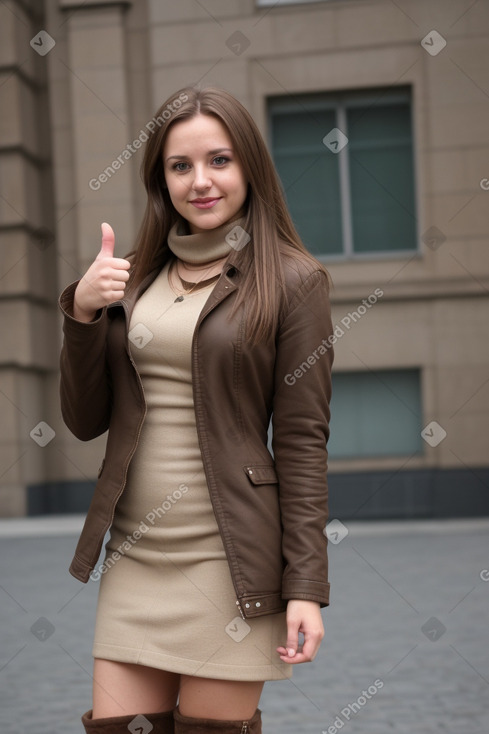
85,390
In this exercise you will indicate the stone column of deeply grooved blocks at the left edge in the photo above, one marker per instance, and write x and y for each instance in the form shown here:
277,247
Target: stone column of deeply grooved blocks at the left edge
27,254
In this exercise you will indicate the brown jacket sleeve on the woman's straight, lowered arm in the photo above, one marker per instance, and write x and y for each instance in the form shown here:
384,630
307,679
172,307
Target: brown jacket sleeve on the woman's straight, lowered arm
300,420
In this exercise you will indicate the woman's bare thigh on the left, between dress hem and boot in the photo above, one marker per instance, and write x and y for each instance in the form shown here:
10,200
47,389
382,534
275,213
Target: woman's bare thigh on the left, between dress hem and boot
121,689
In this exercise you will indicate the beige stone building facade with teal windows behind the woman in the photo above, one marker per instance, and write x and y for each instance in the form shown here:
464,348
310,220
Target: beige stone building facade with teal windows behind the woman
377,116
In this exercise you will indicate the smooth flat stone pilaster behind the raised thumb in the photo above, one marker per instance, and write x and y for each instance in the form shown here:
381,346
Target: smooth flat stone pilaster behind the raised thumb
91,126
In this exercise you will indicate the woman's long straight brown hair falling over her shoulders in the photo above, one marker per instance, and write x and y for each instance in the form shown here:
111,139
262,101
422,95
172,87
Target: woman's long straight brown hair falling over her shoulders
267,218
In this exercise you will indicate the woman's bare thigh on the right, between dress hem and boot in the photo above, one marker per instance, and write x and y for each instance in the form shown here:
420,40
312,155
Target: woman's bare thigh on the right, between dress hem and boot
208,698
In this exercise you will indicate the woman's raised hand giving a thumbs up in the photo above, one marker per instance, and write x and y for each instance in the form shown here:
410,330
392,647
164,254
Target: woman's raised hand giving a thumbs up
104,282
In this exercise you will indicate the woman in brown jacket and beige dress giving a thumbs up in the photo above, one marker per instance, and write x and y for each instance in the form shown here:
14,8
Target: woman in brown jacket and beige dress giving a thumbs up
183,350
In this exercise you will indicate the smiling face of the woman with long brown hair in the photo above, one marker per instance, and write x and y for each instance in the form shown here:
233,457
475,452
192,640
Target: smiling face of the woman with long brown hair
204,176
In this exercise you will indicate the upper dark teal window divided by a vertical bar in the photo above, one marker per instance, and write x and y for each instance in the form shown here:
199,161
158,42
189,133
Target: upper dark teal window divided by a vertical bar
350,193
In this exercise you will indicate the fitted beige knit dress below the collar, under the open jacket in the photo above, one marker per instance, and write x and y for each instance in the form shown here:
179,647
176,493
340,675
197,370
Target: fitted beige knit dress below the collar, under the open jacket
166,599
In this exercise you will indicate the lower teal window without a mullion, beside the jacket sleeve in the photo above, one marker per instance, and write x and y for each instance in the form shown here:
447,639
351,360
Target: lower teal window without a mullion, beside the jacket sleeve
375,414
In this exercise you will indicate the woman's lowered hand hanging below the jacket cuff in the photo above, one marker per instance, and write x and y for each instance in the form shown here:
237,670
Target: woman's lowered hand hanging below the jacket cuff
302,616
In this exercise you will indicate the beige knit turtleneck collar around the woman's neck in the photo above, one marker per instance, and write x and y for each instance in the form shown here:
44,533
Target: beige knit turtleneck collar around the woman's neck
204,246
